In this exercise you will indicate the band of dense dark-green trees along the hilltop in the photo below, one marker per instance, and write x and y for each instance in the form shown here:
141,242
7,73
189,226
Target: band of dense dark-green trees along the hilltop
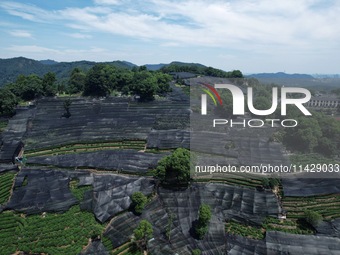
101,80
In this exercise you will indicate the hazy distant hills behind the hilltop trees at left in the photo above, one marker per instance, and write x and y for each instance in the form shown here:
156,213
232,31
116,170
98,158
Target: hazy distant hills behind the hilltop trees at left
11,68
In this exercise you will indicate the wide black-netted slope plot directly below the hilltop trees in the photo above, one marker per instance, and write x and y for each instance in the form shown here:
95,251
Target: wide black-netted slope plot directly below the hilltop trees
97,121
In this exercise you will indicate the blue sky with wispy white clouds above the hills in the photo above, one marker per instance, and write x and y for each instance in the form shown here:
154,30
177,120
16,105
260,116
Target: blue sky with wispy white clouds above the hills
254,36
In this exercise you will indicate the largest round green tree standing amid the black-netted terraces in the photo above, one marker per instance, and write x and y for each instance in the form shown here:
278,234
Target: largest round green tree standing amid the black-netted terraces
175,168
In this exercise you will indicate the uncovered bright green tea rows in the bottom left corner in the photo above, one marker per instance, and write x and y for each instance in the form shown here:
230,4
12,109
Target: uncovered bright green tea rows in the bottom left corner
55,234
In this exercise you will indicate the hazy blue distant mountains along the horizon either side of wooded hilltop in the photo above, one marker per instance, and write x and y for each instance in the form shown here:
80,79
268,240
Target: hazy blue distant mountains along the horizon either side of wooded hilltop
11,68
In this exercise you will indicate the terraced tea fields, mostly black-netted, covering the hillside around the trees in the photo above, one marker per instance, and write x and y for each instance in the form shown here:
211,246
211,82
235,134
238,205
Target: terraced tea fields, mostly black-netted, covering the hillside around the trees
73,196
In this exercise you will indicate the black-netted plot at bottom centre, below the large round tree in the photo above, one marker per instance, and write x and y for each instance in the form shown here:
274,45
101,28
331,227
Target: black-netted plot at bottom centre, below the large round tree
226,201
